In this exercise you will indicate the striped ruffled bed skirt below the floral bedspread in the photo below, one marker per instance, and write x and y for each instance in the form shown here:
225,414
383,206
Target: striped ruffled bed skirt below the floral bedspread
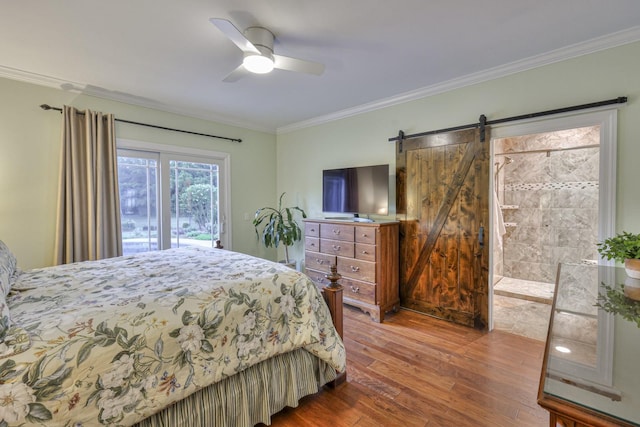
251,396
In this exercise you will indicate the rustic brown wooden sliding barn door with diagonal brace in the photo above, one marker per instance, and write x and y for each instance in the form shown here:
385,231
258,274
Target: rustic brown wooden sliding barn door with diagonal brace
442,204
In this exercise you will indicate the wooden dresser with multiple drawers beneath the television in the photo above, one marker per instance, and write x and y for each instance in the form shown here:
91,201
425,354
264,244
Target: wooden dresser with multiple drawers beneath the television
366,255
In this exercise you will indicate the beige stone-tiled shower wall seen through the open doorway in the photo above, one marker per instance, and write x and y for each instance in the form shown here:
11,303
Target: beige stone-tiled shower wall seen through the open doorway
552,202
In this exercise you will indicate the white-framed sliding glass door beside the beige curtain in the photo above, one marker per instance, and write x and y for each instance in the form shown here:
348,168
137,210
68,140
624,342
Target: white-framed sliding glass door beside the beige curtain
169,200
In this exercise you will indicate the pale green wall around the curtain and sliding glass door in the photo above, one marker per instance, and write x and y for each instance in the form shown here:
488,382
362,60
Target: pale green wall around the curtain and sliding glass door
30,141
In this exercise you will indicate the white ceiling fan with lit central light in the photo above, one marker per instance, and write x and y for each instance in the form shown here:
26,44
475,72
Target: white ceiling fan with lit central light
257,45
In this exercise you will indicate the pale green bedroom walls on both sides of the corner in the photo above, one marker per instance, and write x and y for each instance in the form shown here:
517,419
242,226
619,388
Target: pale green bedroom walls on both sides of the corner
265,165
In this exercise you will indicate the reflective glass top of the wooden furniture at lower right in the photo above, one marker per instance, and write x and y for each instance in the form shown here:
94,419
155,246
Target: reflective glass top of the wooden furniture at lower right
593,347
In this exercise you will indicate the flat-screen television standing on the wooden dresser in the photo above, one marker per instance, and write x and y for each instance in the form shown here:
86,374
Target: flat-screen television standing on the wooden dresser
360,190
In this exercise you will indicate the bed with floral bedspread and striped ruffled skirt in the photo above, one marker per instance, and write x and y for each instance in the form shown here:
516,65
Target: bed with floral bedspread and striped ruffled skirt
180,337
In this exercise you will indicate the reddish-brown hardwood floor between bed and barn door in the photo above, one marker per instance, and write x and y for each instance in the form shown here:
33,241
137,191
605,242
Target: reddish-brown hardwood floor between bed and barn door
414,370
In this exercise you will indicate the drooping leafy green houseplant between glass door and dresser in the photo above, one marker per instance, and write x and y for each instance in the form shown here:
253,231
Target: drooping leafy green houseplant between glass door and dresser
278,225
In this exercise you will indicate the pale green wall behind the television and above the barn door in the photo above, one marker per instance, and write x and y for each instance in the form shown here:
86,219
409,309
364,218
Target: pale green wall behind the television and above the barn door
363,139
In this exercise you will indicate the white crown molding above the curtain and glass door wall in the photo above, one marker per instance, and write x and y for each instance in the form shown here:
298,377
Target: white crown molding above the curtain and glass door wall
86,89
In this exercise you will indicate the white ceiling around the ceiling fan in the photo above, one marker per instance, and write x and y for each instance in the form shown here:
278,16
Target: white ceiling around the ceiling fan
166,54
